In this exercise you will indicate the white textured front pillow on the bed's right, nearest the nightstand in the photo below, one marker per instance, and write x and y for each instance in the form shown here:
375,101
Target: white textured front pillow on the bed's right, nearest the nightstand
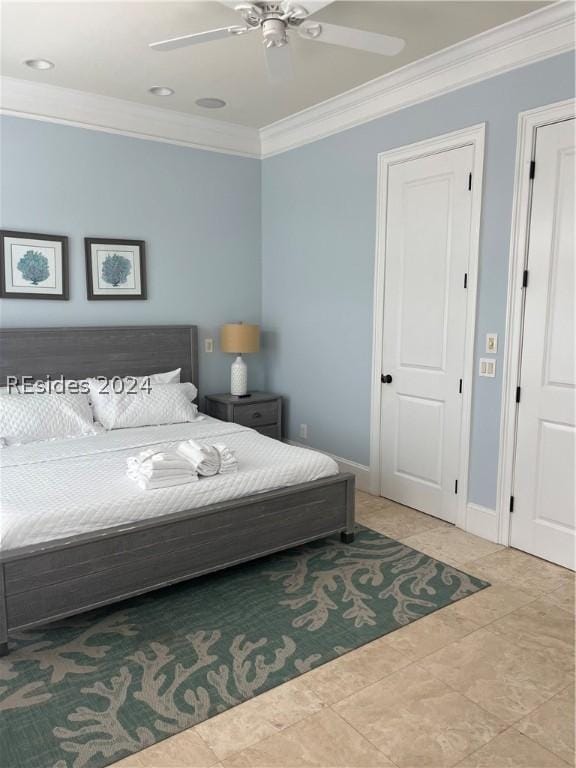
141,407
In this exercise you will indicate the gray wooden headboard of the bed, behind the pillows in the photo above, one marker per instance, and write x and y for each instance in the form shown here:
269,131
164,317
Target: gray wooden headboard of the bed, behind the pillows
76,353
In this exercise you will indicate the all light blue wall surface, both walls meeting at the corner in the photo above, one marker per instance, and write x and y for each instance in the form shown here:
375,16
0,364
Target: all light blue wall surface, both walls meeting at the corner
202,215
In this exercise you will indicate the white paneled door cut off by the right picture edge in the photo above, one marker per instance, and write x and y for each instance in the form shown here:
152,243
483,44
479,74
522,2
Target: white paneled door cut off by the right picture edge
543,519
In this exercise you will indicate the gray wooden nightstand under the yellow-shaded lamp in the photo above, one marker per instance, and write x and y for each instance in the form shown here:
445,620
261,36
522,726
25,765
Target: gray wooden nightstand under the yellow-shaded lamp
262,411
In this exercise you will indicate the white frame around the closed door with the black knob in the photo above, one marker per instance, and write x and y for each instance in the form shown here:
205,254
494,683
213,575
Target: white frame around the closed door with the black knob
474,135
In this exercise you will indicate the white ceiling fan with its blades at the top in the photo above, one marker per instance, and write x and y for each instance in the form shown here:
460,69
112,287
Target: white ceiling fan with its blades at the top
275,20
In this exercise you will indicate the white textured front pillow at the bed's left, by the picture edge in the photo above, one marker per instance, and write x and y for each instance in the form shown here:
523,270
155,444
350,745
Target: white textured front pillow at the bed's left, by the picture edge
32,418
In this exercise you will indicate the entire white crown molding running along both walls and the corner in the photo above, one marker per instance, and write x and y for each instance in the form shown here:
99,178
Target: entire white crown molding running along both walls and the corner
539,35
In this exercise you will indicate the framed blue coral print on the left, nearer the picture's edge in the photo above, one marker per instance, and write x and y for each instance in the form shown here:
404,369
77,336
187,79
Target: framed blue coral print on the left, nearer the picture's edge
33,266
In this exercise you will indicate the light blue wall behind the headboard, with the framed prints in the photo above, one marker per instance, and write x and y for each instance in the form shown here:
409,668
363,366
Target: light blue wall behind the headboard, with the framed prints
199,213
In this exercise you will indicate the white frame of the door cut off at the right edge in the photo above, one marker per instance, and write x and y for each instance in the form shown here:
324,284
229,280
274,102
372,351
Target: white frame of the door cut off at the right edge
528,122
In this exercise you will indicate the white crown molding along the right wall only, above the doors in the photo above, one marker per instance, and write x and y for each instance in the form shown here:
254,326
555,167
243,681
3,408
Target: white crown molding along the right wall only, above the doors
539,35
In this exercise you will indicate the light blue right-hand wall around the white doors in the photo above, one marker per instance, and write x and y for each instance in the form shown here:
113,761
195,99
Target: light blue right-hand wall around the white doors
318,241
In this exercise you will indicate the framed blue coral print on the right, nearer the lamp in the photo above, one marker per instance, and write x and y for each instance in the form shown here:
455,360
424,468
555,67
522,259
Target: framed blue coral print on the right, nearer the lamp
115,269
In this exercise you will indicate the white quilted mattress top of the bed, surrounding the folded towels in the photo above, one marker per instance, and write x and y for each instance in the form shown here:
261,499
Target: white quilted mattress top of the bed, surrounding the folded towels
61,488
